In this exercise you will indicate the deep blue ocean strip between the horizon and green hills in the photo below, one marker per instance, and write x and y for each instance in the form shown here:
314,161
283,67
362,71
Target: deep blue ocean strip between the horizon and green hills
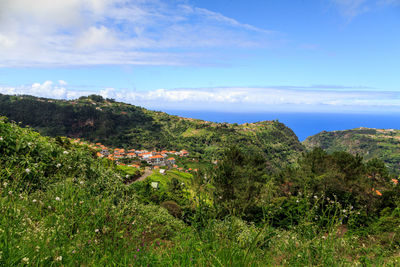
303,124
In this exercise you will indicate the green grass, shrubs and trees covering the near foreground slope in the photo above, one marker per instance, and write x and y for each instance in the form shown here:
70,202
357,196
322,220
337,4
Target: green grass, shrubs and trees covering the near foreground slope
61,205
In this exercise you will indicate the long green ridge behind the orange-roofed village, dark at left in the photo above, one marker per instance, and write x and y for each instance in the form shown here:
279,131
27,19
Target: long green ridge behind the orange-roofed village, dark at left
120,124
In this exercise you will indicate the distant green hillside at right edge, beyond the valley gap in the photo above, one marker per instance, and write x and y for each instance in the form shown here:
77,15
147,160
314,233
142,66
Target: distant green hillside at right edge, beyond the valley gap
369,143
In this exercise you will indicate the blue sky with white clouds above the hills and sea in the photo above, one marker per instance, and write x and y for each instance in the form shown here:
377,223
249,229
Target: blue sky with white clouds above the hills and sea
226,55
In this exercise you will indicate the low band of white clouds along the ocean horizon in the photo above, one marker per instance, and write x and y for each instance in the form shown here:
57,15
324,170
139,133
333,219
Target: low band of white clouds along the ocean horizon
290,98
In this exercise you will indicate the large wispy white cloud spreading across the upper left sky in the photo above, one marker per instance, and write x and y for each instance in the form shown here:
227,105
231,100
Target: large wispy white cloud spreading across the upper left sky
90,32
